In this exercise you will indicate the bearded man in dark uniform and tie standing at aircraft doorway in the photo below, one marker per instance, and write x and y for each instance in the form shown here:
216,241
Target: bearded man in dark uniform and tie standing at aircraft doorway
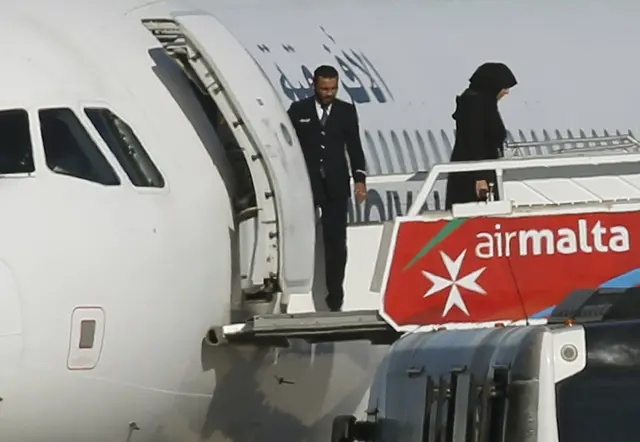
325,126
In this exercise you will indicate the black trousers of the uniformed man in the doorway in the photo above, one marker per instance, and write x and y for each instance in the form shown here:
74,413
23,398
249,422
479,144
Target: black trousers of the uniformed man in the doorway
334,231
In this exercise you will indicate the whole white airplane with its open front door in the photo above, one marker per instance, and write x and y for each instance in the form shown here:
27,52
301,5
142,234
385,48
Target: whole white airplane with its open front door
117,191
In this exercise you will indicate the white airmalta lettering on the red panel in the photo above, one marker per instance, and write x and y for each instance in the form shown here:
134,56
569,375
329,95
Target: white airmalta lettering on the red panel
565,241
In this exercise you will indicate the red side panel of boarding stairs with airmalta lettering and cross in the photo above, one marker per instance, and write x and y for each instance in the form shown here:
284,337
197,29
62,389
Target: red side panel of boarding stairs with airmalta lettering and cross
488,269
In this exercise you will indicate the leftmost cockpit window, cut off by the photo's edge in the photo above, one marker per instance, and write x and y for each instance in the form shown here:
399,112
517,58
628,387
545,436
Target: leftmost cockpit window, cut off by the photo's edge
16,155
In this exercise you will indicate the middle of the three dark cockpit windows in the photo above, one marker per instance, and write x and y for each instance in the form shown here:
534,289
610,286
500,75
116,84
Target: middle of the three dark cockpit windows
69,150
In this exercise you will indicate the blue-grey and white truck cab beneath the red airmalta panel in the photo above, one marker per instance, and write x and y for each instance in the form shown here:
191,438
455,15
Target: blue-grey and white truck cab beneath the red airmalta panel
575,378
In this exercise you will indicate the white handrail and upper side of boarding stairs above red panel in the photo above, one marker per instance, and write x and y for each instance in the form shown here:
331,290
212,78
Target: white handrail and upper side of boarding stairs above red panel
594,170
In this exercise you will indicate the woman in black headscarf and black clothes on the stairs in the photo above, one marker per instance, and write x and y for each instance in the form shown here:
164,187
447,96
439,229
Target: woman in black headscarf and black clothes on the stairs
480,132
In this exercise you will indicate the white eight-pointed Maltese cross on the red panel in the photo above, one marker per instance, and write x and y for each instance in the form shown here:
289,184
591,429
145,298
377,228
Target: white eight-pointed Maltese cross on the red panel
468,282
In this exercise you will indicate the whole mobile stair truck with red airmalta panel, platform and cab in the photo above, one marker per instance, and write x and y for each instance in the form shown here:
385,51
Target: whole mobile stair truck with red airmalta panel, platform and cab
511,320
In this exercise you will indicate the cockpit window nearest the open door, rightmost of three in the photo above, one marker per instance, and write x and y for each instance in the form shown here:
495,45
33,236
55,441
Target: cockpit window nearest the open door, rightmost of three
126,147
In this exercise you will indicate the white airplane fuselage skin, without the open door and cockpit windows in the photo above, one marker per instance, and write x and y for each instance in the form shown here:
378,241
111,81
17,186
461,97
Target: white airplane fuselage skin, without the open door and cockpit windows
153,266
